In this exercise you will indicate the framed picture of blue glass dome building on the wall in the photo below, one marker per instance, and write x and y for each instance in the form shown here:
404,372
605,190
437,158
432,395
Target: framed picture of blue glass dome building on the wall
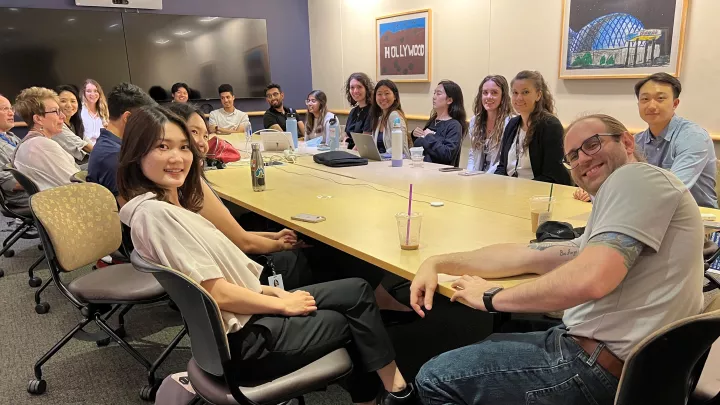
604,39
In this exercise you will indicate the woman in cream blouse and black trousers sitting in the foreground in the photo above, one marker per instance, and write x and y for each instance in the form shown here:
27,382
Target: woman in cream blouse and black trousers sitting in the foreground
160,175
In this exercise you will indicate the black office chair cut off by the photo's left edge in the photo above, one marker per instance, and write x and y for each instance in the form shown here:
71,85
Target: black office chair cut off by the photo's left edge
24,231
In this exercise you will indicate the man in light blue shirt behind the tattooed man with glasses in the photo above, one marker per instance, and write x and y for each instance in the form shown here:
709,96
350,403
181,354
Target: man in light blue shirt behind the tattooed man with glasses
672,142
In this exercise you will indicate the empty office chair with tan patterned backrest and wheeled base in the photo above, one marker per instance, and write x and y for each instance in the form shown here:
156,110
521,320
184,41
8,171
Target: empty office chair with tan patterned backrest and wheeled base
78,234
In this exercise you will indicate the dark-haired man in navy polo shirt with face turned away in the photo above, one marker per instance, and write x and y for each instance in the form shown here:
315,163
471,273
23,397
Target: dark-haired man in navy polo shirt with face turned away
122,100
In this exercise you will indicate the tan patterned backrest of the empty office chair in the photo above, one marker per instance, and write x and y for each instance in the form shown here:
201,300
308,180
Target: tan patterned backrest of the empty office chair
78,223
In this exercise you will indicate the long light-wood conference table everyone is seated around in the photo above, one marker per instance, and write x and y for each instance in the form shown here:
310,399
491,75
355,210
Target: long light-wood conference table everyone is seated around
360,204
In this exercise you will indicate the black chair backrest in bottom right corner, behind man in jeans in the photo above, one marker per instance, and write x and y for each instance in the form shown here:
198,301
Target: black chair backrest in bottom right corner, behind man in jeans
672,358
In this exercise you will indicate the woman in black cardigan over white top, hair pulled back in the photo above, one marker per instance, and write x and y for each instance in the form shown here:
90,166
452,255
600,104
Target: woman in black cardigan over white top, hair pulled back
536,133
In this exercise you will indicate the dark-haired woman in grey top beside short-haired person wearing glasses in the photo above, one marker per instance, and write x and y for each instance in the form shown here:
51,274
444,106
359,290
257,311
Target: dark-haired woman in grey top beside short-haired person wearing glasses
71,138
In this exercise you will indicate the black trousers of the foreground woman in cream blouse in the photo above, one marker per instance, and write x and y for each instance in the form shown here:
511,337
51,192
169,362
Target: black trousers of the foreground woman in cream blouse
270,346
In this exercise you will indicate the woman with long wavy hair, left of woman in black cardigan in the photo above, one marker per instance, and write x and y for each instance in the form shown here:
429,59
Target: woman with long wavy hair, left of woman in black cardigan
492,111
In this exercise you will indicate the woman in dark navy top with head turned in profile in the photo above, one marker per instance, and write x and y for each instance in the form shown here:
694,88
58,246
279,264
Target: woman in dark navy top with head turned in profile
444,132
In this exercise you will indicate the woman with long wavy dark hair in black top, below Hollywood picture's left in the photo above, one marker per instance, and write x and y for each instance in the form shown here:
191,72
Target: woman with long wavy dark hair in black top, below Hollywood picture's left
359,92
